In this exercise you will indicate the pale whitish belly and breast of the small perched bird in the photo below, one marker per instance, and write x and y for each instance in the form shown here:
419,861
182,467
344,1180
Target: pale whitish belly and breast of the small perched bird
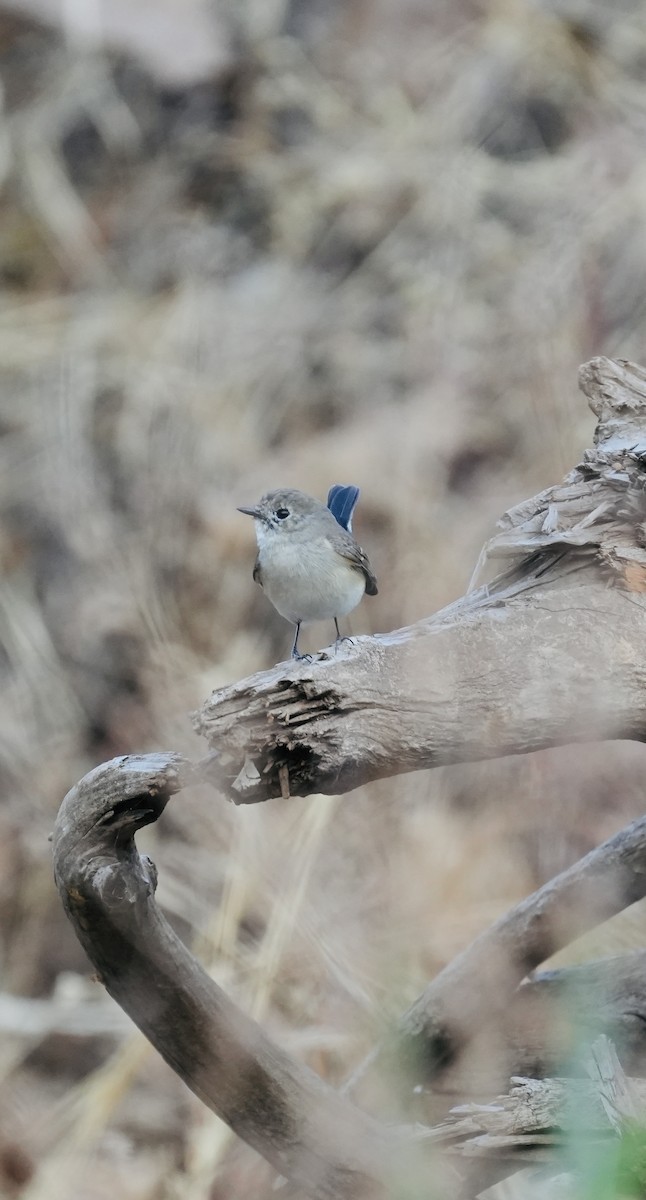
309,583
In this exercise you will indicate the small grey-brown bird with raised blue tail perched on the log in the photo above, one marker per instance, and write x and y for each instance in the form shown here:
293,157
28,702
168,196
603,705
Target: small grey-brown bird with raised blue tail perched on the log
309,565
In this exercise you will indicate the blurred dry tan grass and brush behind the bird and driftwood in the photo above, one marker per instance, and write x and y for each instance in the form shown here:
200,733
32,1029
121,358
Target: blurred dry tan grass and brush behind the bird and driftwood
262,244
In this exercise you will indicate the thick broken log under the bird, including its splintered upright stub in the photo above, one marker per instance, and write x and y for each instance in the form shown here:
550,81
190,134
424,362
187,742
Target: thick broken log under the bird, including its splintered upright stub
529,662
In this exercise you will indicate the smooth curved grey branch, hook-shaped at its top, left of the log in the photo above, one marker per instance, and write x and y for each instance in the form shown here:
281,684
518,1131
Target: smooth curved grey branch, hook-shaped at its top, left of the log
302,1126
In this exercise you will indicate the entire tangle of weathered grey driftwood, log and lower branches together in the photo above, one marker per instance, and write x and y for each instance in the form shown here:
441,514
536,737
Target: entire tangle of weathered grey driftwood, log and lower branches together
552,651
